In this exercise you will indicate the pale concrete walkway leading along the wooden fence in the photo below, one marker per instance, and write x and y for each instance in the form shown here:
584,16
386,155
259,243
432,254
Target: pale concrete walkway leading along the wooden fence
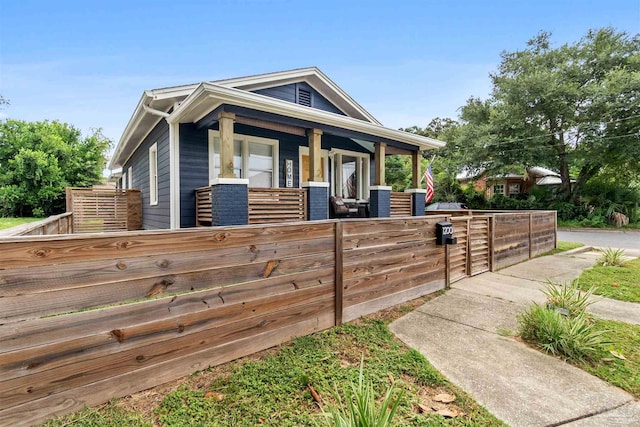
462,333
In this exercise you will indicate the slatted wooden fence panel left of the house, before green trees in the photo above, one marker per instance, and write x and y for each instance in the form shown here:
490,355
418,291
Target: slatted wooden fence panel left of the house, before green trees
97,209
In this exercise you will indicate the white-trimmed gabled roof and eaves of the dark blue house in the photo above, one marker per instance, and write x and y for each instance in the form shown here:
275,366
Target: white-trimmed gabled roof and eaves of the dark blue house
190,103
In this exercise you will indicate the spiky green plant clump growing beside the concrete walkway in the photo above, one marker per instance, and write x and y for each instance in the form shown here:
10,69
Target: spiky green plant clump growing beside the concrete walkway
562,326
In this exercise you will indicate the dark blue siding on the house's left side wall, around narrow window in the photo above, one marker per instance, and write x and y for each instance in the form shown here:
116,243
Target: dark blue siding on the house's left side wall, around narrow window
157,216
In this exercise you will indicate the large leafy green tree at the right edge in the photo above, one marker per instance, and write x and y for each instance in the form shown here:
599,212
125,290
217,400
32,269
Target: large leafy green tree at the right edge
573,107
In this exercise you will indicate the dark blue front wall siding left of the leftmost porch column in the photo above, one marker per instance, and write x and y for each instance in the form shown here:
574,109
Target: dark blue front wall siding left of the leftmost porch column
194,169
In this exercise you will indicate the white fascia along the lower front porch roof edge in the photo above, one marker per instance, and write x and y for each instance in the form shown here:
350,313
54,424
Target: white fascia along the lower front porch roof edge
223,95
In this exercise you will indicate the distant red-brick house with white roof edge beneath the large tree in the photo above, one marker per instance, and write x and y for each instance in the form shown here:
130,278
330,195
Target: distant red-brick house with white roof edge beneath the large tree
511,184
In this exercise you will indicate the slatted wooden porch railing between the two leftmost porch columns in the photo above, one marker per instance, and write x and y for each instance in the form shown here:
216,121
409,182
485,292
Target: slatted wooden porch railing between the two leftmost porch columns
270,205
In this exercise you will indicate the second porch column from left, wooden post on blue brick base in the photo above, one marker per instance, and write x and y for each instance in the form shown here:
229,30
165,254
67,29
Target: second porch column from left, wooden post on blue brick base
317,190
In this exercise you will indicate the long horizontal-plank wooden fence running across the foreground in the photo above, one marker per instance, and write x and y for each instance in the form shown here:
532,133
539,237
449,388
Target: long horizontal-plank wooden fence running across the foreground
87,318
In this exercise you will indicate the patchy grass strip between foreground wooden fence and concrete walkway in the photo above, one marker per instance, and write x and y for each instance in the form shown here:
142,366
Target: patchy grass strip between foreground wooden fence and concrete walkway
272,388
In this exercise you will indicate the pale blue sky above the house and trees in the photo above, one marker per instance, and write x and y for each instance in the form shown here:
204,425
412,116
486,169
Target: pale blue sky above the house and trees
406,62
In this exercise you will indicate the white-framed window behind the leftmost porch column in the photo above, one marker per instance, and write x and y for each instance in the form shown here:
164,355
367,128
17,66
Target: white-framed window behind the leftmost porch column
254,158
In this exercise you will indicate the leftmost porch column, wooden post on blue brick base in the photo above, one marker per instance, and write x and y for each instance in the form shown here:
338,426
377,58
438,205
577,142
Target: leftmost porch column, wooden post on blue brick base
229,194
